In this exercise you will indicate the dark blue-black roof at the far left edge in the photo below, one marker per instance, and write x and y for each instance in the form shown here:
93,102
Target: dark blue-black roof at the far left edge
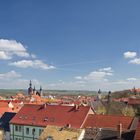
5,119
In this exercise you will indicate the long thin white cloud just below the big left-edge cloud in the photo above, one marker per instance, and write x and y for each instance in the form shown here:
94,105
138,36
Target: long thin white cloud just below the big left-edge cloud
38,64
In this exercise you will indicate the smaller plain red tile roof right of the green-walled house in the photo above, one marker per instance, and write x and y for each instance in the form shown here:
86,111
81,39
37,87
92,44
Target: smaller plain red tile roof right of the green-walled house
108,121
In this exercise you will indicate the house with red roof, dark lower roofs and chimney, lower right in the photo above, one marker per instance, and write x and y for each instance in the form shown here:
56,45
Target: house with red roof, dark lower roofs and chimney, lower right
108,127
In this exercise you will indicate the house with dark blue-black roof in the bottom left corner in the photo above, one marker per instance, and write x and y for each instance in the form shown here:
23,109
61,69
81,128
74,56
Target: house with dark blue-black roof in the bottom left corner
4,124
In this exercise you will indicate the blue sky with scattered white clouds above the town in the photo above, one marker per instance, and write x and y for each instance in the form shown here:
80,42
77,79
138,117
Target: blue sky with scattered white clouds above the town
75,44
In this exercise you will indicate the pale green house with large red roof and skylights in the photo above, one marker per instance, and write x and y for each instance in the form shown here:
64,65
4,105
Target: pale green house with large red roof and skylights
31,120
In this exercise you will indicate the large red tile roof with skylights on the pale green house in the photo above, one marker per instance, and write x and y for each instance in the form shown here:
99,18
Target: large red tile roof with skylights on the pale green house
37,115
